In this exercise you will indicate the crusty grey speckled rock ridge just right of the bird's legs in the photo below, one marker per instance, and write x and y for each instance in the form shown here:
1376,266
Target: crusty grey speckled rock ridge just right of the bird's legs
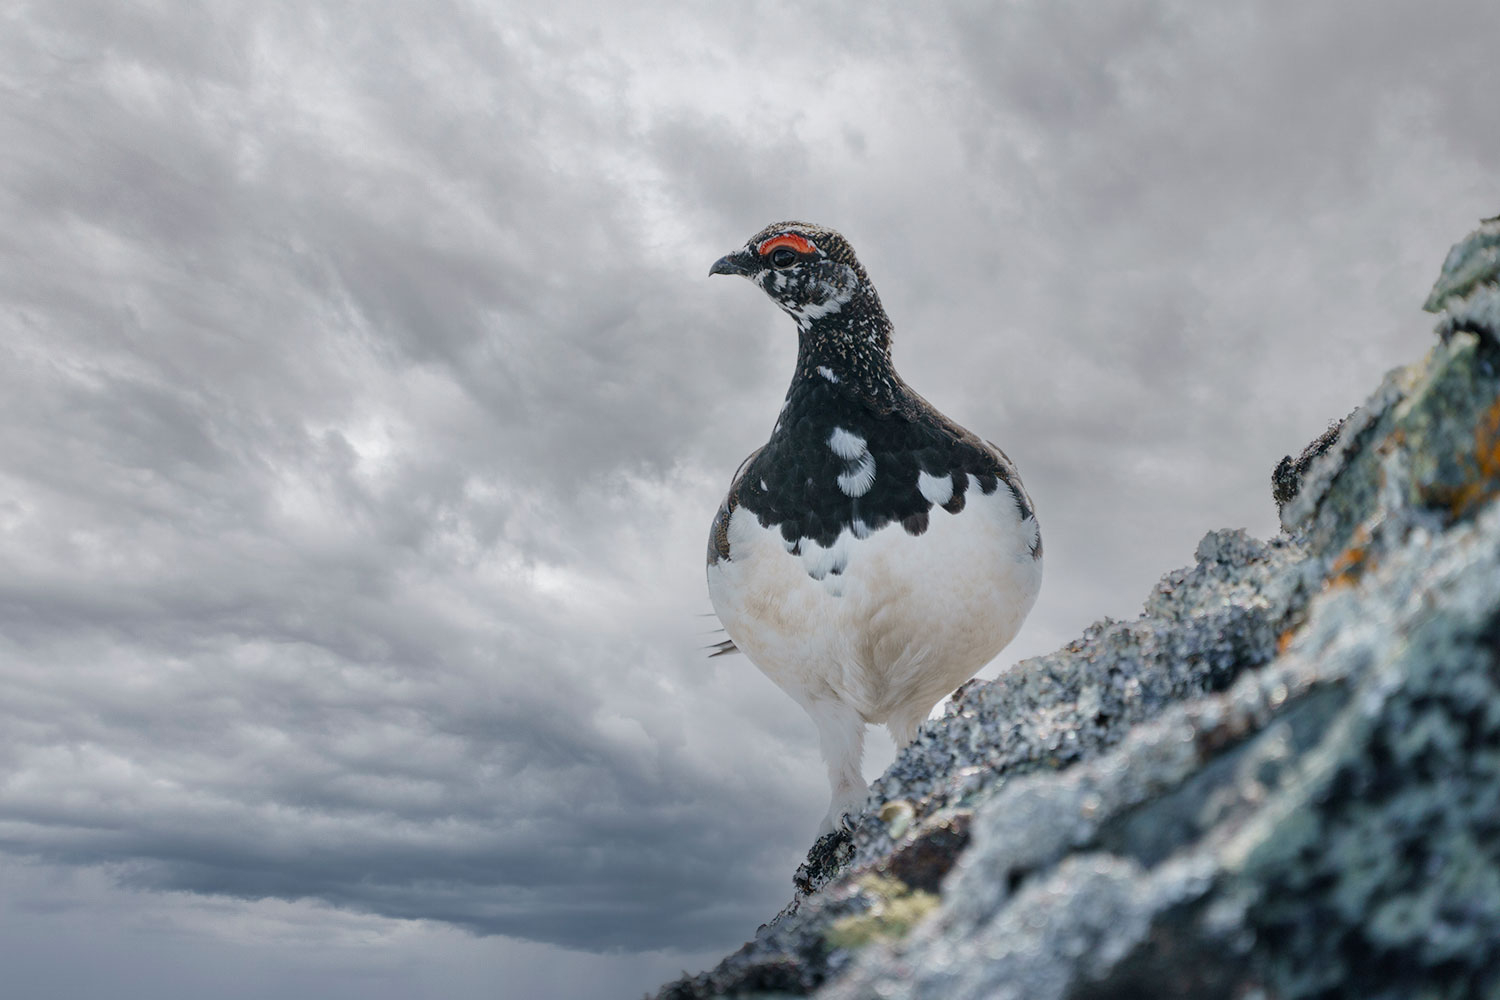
1199,630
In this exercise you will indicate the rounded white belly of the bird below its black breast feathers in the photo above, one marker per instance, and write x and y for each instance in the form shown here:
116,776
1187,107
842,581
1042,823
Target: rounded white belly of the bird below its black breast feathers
907,621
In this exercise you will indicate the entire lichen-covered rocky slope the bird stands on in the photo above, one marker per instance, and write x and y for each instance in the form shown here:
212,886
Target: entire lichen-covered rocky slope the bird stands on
1280,782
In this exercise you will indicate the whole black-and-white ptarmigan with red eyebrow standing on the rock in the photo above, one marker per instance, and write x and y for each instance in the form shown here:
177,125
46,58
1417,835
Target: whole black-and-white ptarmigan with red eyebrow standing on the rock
874,554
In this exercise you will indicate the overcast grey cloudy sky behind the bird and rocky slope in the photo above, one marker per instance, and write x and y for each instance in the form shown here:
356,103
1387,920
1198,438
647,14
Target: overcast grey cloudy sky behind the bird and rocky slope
367,401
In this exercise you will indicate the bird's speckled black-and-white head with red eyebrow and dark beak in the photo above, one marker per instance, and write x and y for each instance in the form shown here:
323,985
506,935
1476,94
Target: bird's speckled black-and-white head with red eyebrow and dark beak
808,271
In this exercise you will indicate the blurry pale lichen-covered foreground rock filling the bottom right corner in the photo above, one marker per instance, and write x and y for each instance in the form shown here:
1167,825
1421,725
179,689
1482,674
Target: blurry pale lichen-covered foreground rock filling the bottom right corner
1330,827
